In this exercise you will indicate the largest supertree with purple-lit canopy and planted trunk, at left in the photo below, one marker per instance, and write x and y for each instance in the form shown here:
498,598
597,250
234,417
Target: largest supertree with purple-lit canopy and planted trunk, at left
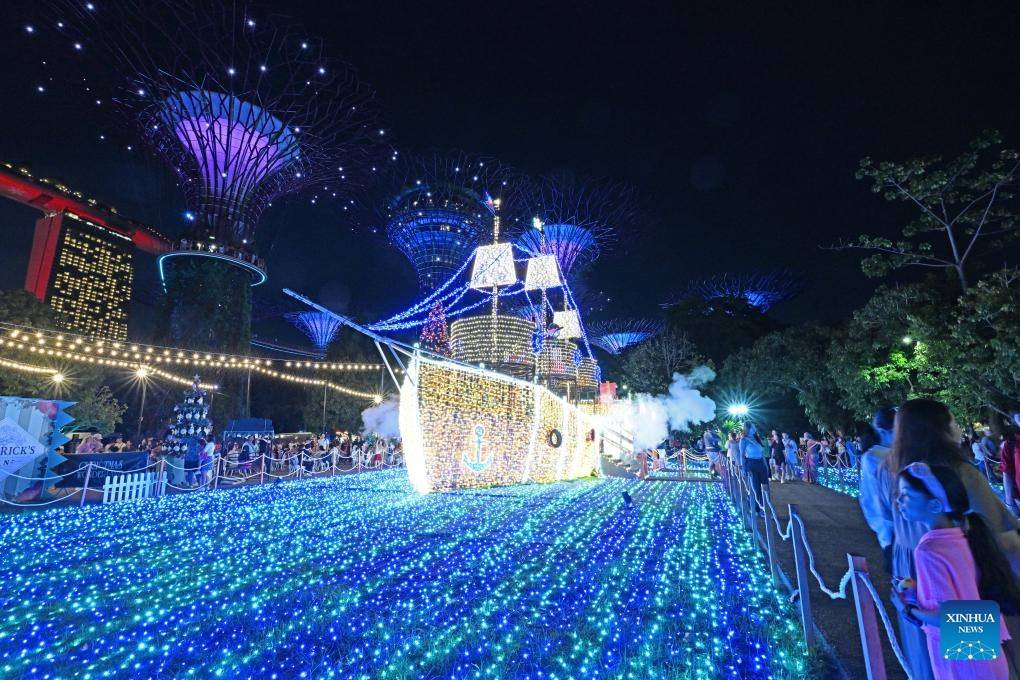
244,111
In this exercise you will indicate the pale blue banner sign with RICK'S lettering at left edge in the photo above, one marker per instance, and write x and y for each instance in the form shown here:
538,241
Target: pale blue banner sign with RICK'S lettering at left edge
30,434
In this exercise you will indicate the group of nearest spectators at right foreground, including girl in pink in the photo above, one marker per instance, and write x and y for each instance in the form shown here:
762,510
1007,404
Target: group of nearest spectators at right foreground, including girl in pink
946,534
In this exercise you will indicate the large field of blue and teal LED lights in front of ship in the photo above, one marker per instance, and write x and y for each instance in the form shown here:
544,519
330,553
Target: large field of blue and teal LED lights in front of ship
360,578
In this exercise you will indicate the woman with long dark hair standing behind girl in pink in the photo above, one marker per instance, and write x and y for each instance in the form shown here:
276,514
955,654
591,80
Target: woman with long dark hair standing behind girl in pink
927,433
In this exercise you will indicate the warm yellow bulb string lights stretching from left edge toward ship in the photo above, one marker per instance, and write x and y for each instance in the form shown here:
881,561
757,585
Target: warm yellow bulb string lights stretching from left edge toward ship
158,360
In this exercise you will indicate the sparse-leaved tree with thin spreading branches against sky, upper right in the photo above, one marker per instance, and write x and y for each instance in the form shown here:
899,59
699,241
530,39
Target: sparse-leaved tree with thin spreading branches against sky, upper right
965,205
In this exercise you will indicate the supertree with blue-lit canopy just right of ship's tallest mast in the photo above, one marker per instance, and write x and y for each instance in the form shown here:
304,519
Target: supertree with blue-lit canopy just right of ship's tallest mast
574,221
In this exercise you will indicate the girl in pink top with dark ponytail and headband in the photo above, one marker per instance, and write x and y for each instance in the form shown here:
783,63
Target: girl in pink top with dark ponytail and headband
946,561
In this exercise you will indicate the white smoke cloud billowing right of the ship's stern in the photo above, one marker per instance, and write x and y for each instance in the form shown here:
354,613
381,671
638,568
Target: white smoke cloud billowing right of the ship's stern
652,419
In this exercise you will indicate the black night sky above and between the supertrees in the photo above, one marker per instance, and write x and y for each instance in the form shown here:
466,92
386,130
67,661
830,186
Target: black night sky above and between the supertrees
740,125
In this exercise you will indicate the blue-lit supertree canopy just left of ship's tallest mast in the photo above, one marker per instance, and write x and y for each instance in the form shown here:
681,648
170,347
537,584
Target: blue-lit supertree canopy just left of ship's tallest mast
442,211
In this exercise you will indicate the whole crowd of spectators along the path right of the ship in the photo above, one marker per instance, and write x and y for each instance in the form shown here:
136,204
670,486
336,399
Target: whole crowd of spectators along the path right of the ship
927,492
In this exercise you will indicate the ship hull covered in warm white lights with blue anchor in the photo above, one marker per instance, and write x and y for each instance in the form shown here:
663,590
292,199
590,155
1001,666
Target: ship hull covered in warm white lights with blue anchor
464,428
